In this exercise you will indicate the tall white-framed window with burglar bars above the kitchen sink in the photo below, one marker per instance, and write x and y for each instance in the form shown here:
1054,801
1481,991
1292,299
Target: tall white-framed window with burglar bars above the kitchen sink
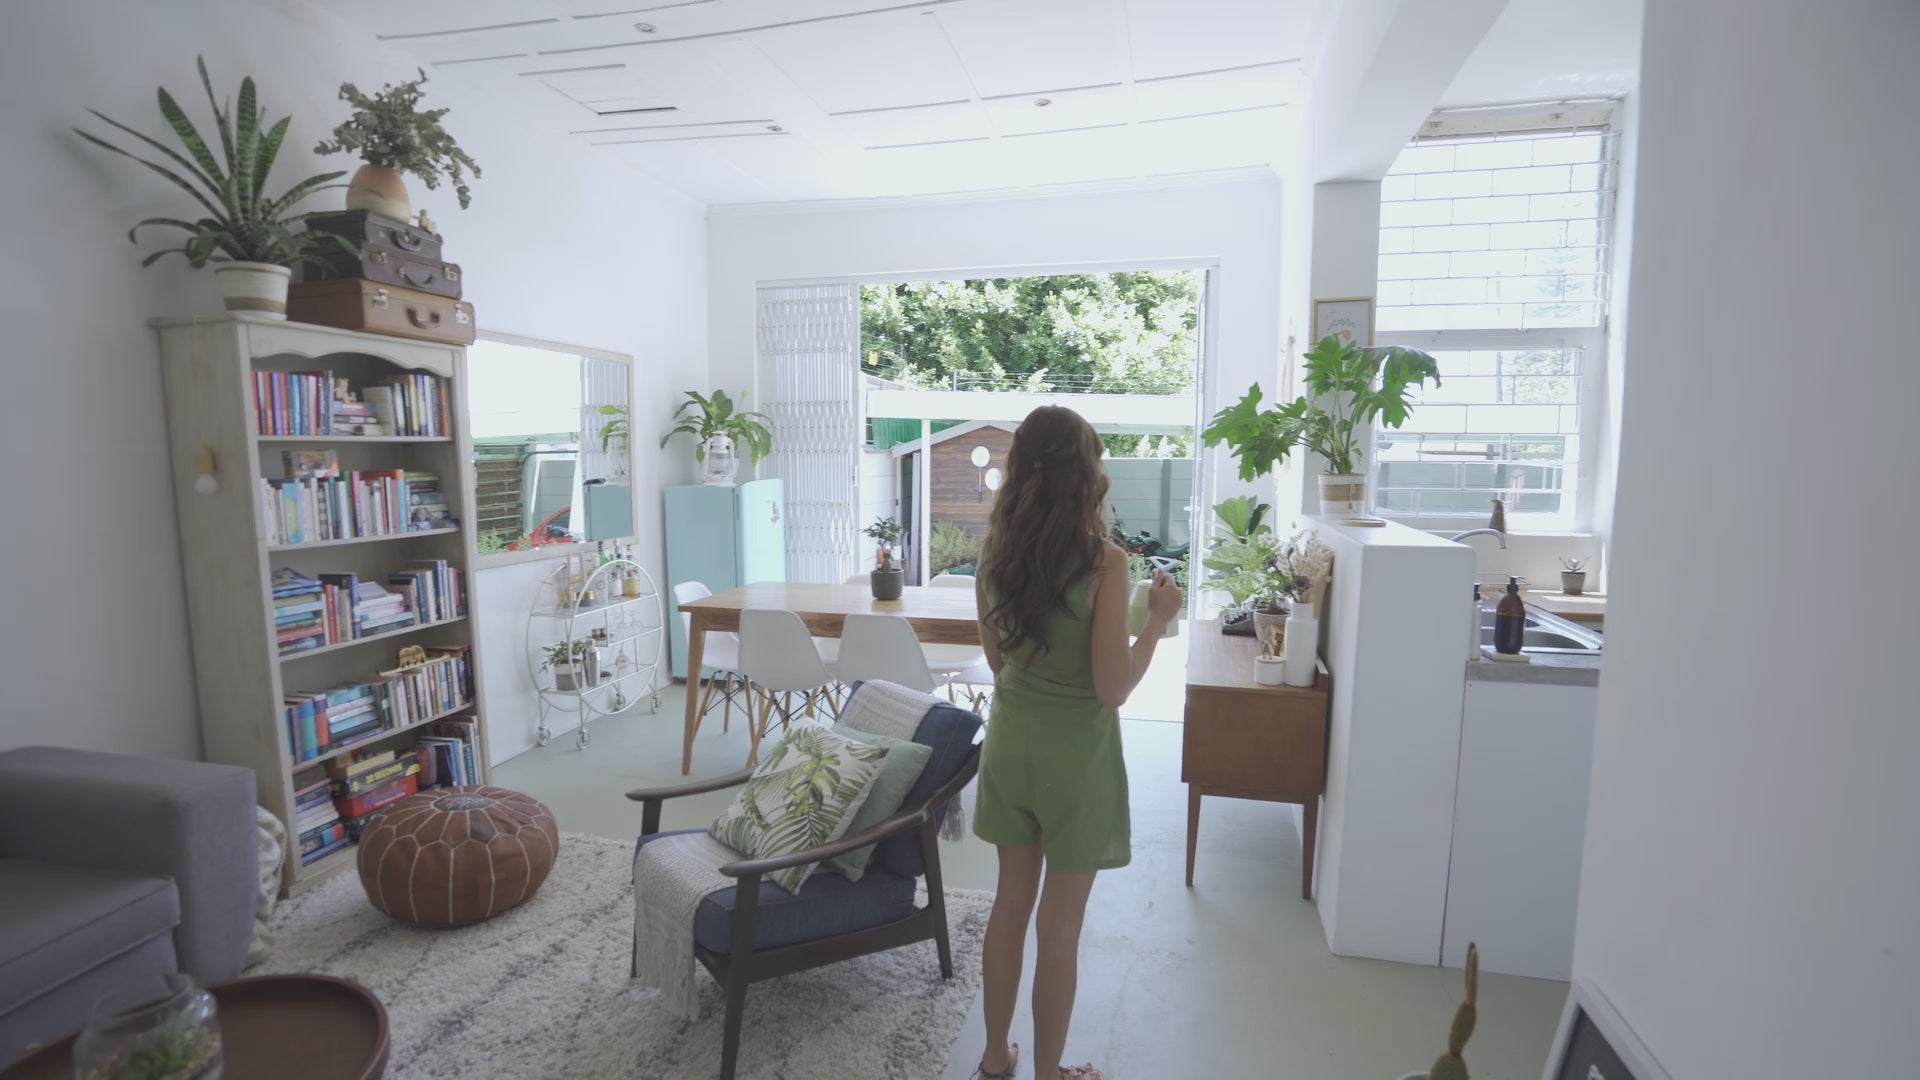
1495,235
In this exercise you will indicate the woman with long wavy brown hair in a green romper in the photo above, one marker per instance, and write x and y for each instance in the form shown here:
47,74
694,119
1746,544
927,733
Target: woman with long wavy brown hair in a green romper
1053,783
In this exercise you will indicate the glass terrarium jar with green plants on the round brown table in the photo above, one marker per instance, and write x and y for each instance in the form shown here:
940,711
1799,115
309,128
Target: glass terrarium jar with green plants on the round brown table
162,1031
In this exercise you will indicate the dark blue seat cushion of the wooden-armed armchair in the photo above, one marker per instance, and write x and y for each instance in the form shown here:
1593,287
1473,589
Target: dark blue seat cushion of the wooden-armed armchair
825,908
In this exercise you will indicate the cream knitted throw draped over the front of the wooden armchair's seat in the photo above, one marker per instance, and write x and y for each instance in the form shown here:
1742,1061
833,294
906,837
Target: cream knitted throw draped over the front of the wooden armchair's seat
671,879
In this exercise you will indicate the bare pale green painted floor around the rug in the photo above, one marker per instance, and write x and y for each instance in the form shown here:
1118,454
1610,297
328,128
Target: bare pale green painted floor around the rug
1228,979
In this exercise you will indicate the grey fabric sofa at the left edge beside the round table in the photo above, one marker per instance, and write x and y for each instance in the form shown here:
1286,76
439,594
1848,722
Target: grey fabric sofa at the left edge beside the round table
114,870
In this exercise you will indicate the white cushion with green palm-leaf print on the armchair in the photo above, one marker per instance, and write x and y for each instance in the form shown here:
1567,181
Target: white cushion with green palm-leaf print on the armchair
804,795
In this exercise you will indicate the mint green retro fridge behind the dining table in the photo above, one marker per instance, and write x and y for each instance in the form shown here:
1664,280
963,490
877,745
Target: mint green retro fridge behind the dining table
723,539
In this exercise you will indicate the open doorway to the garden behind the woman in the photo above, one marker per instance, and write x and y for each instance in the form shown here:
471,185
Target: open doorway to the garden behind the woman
951,368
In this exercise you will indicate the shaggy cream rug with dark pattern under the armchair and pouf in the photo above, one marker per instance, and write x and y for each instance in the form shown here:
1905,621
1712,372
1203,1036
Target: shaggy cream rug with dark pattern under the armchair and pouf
542,991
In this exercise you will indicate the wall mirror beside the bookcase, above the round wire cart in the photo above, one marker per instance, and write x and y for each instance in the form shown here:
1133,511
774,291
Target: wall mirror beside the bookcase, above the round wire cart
550,447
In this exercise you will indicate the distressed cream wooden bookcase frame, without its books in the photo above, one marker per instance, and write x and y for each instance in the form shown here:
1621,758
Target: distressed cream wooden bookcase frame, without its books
208,366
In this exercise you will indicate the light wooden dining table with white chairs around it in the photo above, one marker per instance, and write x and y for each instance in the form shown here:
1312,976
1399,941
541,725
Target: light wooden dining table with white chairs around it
940,618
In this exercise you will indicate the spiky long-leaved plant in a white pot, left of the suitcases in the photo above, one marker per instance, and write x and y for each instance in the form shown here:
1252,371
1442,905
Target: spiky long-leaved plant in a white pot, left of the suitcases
252,239
